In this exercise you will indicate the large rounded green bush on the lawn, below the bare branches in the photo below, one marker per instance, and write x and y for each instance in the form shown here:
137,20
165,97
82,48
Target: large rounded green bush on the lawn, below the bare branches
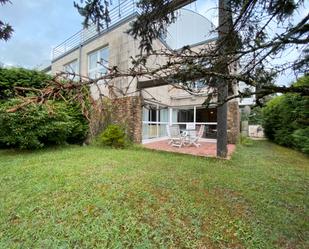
36,126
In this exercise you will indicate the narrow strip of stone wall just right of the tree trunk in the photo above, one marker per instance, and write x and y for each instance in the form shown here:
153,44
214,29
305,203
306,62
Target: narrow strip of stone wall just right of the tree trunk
233,122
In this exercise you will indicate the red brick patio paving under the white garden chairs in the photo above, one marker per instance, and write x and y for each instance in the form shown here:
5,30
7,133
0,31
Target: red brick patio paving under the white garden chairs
206,149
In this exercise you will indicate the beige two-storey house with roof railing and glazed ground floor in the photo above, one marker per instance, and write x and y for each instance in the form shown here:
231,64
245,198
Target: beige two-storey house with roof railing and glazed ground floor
146,112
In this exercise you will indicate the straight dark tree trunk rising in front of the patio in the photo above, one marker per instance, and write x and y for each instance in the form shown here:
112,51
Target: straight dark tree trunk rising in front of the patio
225,24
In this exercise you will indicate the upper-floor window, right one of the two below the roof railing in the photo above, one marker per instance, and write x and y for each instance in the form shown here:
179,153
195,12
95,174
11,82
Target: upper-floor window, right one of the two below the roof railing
98,62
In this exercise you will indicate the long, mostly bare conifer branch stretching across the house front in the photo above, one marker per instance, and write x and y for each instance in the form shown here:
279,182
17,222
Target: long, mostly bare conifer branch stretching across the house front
179,67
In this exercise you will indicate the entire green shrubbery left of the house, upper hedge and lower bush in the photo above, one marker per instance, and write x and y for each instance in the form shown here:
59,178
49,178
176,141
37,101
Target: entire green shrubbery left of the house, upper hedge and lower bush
36,126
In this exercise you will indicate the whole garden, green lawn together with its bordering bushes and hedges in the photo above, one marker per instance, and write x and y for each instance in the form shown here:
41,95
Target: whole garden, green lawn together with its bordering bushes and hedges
56,193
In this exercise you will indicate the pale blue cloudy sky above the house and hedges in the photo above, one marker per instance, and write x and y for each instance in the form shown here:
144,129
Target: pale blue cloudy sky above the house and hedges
39,25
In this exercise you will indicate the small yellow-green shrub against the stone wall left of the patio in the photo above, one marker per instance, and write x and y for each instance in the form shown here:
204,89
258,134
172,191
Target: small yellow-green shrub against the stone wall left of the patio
113,136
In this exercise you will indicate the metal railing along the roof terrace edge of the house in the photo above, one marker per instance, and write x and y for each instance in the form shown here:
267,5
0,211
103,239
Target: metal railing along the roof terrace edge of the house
119,13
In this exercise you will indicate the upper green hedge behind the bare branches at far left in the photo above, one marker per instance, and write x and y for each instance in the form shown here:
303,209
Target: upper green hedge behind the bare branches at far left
9,78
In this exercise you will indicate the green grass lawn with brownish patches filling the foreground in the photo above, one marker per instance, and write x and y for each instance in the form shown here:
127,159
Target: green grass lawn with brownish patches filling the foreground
88,197
